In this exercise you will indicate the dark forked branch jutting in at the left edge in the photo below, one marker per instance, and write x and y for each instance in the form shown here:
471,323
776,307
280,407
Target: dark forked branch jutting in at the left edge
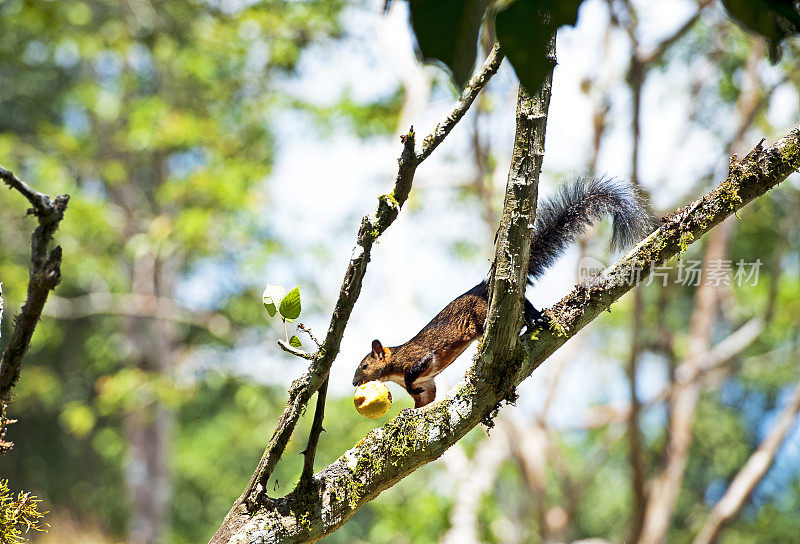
44,274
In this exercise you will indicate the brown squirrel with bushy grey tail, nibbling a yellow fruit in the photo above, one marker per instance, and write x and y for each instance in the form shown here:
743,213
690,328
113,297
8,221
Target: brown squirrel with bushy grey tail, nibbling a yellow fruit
559,221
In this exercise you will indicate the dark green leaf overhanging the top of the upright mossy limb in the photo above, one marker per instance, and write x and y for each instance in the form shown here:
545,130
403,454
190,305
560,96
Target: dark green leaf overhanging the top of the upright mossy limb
524,30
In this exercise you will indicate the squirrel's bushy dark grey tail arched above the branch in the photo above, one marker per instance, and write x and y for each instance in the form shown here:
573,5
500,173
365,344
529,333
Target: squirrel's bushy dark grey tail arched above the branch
564,216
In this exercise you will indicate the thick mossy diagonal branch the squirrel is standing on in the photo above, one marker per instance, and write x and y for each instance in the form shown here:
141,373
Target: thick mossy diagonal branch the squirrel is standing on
416,437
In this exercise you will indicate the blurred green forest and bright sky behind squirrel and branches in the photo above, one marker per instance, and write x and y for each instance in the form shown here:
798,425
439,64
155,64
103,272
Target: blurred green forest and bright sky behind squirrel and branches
212,146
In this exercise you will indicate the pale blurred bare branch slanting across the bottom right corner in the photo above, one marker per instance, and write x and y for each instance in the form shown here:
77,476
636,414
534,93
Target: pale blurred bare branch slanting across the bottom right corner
750,474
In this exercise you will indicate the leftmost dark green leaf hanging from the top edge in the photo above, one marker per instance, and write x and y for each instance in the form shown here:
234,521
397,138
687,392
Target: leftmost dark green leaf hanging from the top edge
447,31
